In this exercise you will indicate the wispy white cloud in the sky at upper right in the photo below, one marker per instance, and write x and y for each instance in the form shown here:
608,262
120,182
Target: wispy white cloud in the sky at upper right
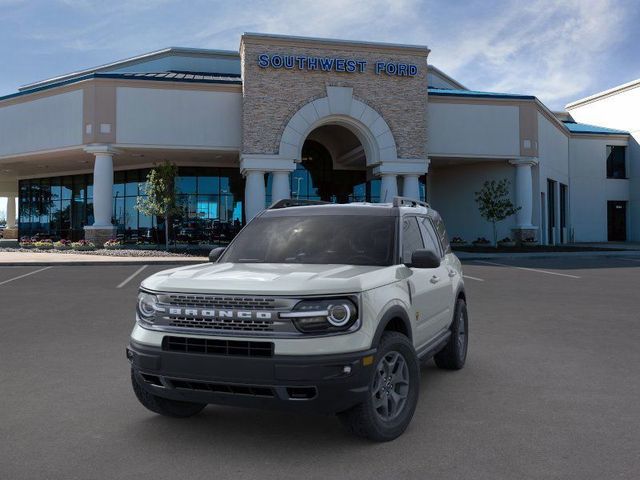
549,49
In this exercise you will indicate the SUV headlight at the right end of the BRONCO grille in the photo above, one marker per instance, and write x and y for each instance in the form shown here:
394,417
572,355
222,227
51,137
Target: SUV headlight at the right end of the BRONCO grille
324,315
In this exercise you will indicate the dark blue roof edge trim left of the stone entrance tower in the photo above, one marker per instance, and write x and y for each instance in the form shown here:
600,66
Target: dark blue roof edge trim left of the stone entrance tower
162,77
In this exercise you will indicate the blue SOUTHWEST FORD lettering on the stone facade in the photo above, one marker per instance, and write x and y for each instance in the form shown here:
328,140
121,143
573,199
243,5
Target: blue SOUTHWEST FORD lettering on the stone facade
332,64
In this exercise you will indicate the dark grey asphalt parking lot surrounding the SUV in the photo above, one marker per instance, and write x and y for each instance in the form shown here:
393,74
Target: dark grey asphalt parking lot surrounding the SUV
551,388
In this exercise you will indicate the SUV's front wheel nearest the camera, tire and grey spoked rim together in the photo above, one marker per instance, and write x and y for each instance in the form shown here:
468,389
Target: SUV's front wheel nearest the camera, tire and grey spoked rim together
393,392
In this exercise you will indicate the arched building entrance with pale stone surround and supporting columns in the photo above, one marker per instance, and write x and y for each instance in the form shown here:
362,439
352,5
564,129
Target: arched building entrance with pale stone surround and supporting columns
335,148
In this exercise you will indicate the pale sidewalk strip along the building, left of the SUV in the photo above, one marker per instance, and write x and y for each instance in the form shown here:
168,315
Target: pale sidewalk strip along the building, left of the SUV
37,259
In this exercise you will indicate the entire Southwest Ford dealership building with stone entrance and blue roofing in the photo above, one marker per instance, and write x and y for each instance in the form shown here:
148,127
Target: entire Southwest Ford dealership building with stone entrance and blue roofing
306,118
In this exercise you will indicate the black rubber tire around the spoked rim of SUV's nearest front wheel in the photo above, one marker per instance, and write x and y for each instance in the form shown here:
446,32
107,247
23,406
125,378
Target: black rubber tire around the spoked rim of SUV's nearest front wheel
364,420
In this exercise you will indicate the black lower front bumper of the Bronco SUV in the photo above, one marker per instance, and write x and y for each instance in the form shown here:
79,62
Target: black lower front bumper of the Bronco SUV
312,383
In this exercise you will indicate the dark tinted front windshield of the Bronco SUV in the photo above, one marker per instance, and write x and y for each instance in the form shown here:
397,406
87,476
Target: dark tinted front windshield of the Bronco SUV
337,239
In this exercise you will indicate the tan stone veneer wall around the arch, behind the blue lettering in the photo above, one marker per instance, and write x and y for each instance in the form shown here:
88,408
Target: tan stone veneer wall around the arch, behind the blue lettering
271,96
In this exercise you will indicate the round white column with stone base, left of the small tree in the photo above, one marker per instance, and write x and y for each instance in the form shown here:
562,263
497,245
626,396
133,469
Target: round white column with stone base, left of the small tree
102,228
